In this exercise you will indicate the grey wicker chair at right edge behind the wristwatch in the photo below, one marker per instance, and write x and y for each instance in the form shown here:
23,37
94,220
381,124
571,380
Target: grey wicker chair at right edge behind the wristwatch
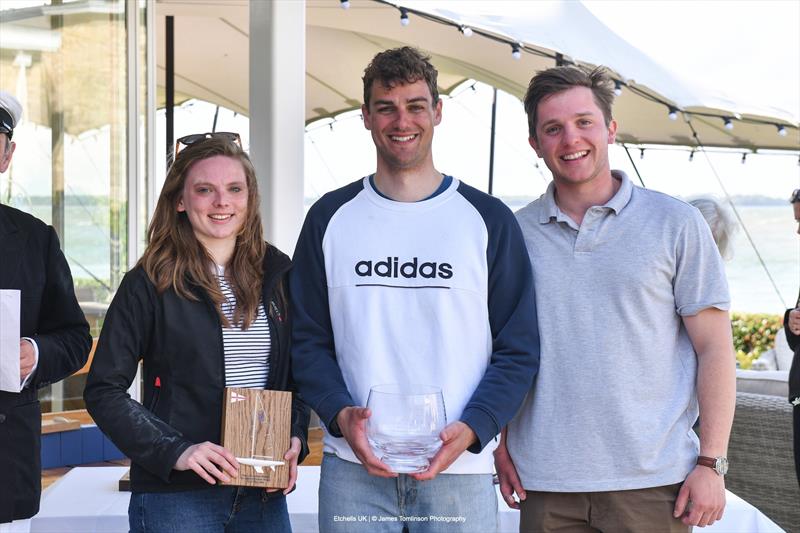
762,460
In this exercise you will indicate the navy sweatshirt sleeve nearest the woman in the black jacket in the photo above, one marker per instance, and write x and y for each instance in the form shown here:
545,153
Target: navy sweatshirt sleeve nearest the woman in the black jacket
315,369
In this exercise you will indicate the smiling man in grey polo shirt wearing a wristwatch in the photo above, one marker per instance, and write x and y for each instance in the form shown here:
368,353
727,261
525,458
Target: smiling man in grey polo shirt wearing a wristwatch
635,338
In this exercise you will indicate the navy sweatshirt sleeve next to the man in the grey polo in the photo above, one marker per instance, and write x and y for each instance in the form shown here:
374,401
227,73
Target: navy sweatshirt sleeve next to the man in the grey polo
512,318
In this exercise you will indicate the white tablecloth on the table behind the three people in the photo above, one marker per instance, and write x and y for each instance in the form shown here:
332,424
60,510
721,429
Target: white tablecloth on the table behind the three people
87,500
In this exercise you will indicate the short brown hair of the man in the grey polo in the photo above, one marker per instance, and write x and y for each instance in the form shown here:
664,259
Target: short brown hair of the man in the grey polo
557,79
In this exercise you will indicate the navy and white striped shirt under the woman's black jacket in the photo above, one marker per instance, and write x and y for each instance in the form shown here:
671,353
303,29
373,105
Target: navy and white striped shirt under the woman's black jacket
246,351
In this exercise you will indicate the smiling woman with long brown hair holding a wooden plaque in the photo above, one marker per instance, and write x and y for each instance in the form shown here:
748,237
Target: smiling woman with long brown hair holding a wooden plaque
204,308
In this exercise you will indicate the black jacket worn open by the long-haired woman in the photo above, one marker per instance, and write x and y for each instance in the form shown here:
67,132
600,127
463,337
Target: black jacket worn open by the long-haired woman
180,343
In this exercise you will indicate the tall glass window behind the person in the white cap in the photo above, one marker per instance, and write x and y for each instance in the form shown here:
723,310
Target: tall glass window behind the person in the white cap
71,65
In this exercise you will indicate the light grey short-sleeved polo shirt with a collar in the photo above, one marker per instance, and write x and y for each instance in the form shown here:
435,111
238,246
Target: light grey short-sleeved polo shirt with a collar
614,402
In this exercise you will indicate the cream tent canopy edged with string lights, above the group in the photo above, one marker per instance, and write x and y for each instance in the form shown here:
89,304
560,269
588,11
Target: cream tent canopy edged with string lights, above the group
339,44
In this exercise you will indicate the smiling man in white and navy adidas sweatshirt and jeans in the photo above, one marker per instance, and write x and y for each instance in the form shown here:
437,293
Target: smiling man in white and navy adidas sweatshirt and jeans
456,311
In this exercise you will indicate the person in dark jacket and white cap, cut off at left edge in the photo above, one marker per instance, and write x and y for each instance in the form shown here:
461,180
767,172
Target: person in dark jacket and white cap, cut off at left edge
55,339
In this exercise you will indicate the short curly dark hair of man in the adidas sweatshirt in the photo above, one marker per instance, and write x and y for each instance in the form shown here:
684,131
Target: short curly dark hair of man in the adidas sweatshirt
400,66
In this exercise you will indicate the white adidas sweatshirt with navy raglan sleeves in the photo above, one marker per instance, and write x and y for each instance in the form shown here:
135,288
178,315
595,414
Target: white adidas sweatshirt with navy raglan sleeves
436,292
